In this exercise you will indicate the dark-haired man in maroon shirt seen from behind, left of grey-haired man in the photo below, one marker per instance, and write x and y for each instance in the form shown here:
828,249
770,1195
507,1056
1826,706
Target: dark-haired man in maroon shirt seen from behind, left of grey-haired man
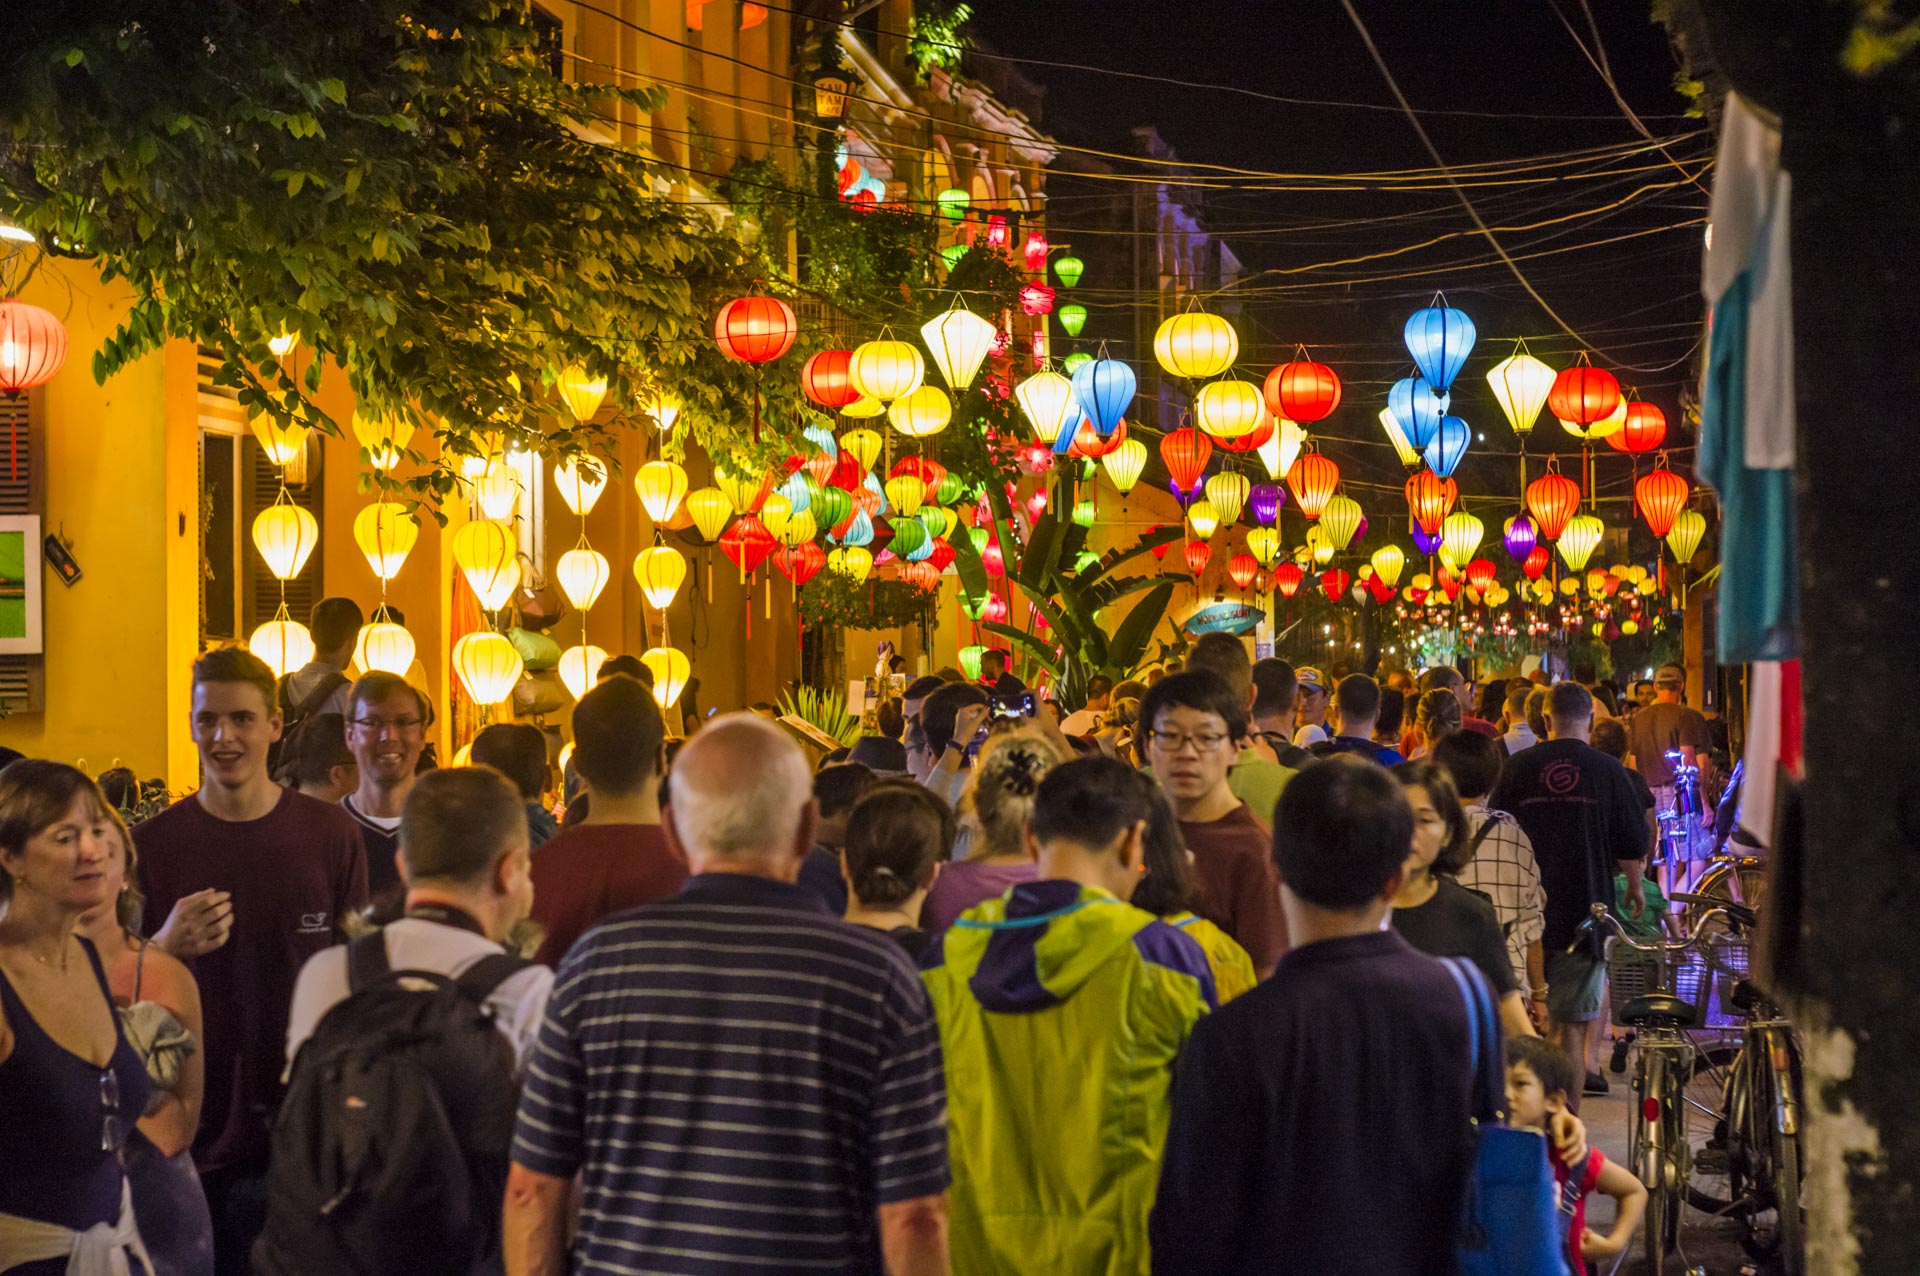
617,857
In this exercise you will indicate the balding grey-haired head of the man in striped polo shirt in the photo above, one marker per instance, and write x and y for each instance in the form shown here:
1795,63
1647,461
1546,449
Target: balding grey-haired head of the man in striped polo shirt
738,790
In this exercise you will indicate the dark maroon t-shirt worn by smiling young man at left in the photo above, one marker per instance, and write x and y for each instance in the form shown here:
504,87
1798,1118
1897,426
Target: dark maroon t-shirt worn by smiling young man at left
295,874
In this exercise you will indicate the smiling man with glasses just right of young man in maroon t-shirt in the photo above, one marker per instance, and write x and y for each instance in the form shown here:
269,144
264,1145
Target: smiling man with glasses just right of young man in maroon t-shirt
387,732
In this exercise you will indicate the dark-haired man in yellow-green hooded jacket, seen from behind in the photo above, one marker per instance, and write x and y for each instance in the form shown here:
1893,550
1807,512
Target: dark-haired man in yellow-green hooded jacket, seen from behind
1063,1010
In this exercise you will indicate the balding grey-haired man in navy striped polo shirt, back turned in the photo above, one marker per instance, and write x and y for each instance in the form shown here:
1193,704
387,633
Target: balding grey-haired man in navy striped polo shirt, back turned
740,1079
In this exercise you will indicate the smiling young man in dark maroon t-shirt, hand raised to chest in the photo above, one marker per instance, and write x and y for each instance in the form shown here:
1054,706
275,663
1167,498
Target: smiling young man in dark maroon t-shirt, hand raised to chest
264,878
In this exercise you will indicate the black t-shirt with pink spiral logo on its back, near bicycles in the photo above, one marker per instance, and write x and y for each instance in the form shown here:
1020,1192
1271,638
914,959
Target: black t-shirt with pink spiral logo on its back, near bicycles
1581,813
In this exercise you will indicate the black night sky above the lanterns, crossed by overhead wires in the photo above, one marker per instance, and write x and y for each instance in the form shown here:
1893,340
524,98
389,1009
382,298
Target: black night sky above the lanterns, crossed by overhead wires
1635,300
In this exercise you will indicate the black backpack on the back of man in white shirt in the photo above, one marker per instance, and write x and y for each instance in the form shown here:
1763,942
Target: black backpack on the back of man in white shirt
391,1148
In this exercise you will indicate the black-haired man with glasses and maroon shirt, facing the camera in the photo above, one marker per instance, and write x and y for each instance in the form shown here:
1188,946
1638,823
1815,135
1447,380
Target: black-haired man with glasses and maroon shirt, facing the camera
1191,724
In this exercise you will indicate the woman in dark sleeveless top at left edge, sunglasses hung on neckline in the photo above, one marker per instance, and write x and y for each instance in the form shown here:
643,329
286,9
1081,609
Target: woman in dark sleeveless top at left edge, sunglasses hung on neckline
70,1081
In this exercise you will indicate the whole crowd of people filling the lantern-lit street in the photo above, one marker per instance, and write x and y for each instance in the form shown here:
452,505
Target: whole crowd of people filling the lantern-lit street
1149,987
